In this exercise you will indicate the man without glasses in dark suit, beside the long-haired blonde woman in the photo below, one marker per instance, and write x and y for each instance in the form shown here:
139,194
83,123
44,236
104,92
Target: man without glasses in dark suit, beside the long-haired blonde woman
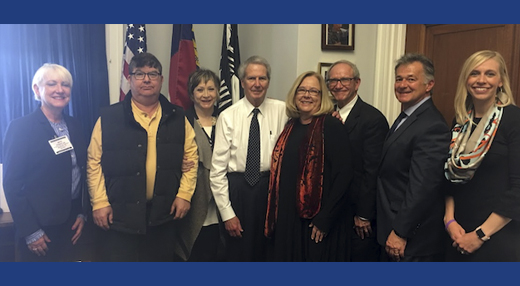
410,204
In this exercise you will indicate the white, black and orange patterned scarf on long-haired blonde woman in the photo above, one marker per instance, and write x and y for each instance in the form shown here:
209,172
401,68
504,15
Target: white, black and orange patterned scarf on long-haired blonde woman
468,149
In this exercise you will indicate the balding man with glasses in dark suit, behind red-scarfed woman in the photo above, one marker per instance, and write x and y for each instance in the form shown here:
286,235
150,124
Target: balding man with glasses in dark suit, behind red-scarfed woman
367,128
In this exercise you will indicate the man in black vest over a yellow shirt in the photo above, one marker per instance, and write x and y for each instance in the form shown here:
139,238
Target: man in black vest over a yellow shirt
135,178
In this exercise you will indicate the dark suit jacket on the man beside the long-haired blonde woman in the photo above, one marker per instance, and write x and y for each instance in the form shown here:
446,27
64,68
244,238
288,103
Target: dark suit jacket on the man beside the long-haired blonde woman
410,198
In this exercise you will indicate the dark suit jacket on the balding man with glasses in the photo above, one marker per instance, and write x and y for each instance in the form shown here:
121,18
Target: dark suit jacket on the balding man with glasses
367,128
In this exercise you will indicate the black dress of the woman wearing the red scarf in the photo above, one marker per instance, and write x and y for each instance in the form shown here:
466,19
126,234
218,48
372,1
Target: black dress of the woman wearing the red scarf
291,239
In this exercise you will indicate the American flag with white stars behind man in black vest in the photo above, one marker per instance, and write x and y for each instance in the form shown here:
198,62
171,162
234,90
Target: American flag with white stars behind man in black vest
135,42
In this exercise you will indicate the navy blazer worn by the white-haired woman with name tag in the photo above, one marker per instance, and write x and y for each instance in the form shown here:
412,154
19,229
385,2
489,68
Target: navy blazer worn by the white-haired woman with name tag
37,183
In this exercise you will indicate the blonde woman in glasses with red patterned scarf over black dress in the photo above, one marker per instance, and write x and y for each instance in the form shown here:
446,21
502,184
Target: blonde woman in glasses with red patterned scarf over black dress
311,171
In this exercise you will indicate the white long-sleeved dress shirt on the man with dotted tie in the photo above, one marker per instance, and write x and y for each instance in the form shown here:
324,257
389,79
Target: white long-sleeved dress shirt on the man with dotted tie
231,139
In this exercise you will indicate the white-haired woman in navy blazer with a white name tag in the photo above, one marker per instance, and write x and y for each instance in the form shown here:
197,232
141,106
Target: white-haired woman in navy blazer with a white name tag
44,172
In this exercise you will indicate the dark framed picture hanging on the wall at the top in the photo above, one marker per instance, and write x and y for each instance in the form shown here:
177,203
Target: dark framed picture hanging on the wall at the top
337,37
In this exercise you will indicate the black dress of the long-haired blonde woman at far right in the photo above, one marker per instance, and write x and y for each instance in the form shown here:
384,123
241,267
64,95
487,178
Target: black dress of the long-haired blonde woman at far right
495,187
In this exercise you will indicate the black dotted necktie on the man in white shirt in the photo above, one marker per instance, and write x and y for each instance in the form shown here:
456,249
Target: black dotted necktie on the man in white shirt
252,173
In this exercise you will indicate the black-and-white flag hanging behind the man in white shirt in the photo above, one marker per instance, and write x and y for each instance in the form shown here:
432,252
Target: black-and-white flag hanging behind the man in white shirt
230,89
